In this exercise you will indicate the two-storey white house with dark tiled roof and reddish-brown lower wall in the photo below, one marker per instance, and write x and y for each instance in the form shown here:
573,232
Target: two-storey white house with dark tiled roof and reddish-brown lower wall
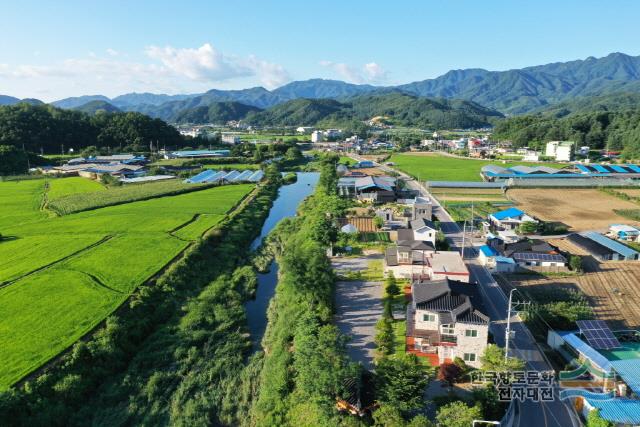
445,321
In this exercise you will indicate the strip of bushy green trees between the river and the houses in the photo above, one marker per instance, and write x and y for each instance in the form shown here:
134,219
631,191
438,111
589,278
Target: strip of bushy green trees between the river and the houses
305,365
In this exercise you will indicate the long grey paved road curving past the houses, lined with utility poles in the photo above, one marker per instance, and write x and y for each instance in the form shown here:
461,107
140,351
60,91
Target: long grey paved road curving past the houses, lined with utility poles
530,414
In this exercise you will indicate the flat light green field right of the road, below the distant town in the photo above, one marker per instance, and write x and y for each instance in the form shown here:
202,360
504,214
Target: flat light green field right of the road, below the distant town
437,167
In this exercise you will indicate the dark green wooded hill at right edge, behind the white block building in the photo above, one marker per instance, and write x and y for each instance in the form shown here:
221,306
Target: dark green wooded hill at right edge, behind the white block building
615,130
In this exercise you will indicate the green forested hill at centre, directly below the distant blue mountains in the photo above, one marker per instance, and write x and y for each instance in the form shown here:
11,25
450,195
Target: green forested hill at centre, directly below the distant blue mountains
396,108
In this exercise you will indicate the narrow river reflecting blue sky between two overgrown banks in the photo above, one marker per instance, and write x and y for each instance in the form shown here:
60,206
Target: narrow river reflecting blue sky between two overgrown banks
286,204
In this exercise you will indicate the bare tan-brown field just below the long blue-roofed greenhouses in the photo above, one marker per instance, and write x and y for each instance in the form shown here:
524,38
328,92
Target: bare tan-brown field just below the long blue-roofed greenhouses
580,209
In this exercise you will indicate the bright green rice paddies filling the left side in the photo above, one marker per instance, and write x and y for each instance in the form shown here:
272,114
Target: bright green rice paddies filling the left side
61,275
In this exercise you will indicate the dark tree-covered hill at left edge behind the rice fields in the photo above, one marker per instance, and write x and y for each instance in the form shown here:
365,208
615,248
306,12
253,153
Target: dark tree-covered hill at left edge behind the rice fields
49,129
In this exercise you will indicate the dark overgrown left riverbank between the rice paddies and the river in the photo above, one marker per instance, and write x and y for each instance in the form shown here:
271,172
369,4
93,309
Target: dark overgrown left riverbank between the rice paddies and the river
173,355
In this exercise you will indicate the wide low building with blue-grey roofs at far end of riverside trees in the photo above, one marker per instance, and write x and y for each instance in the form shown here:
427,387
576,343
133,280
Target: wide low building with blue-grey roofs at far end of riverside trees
375,189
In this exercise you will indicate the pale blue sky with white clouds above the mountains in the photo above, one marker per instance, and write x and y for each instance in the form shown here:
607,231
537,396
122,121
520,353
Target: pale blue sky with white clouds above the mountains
71,48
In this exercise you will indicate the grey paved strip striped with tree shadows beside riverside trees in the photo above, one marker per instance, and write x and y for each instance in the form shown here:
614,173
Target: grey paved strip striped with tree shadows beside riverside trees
358,308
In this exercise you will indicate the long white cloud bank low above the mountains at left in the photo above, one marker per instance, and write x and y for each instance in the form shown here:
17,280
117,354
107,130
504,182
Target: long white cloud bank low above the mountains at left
161,69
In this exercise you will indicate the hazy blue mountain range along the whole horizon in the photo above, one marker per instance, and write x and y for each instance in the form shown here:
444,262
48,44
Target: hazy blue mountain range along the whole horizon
511,92
